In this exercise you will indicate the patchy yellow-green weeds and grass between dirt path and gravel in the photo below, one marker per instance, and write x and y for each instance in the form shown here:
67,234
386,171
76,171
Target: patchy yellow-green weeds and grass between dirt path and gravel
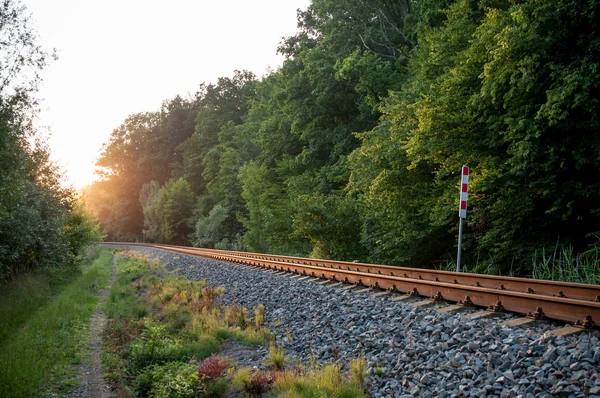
164,333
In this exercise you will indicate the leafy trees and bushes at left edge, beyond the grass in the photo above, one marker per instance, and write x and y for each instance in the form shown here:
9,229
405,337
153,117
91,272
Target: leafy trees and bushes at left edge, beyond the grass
41,223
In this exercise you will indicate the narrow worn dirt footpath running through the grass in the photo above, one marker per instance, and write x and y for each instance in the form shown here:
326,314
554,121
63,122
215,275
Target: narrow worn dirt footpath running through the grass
90,371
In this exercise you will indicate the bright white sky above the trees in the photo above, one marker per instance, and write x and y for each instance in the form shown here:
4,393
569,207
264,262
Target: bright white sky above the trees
119,57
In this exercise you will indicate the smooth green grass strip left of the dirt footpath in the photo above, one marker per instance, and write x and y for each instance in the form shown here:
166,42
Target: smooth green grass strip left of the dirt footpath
41,349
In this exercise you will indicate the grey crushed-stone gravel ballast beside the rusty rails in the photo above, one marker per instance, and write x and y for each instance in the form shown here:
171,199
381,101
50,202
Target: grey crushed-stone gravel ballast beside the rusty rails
410,351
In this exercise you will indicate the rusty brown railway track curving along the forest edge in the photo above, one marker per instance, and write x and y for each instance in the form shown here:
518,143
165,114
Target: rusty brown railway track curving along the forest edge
574,303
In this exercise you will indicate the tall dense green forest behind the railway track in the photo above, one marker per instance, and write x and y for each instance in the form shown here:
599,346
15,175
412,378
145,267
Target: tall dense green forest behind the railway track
352,149
